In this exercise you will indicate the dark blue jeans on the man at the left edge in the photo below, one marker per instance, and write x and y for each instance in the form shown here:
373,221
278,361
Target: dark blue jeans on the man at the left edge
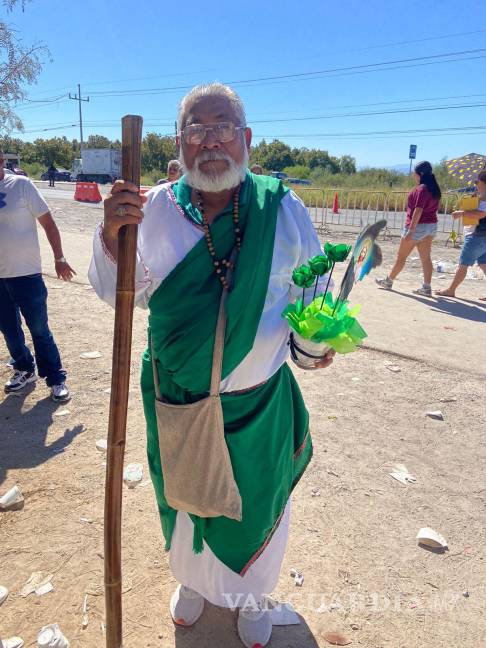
28,295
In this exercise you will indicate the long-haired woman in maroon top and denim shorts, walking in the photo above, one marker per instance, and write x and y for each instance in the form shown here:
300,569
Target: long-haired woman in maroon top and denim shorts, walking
420,228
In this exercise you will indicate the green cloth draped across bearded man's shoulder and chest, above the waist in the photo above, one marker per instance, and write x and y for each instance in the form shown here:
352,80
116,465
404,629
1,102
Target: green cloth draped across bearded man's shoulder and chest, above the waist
184,309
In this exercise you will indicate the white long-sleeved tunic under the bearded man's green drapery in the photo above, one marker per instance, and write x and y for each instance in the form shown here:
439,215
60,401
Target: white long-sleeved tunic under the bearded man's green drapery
165,237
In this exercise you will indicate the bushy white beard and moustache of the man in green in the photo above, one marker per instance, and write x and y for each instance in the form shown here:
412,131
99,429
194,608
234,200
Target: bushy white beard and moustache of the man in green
215,182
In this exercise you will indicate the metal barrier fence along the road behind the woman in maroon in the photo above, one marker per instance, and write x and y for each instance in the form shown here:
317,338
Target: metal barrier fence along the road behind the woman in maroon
355,208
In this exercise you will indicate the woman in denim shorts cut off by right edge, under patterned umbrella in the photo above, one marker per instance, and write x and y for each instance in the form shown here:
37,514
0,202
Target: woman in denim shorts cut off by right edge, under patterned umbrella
474,248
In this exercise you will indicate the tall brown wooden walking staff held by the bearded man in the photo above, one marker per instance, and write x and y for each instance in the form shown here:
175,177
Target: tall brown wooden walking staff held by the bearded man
120,379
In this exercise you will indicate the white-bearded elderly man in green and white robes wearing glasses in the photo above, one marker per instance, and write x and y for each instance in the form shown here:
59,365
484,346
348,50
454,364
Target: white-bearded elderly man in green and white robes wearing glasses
218,220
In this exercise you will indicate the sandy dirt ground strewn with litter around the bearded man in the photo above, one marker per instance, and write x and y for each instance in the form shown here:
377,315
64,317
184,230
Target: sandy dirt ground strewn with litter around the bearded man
353,527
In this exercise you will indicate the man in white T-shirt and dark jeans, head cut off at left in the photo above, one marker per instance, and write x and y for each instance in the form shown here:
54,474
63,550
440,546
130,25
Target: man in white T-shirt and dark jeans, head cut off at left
22,289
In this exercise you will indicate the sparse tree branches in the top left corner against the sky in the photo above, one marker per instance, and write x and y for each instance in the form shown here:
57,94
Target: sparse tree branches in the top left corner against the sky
20,65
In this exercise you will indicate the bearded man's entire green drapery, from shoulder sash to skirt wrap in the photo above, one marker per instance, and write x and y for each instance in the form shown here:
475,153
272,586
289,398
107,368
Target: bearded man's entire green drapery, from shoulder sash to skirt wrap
267,428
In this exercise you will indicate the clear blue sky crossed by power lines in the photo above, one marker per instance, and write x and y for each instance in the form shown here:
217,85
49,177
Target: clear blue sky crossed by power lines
148,47
